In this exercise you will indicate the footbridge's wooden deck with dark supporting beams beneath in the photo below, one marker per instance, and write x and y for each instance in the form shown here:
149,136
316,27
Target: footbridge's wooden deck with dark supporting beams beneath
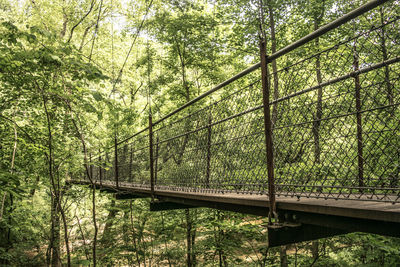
299,219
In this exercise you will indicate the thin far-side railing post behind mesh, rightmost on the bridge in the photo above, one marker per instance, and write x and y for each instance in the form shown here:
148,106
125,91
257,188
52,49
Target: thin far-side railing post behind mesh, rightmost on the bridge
359,121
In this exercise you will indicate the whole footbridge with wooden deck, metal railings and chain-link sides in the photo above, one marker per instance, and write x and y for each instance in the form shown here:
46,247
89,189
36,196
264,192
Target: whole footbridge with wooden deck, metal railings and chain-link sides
314,144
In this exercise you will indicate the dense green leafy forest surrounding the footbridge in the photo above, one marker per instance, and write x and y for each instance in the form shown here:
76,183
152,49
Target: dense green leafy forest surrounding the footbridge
78,76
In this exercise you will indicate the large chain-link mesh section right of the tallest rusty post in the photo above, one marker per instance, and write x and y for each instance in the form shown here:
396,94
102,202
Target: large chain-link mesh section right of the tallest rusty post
336,129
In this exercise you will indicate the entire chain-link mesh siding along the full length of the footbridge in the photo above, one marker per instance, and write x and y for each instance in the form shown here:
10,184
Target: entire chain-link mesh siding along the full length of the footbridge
335,125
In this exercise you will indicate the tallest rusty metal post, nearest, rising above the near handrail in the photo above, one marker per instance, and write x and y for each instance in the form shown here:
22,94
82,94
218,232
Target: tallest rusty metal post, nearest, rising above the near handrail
268,130
